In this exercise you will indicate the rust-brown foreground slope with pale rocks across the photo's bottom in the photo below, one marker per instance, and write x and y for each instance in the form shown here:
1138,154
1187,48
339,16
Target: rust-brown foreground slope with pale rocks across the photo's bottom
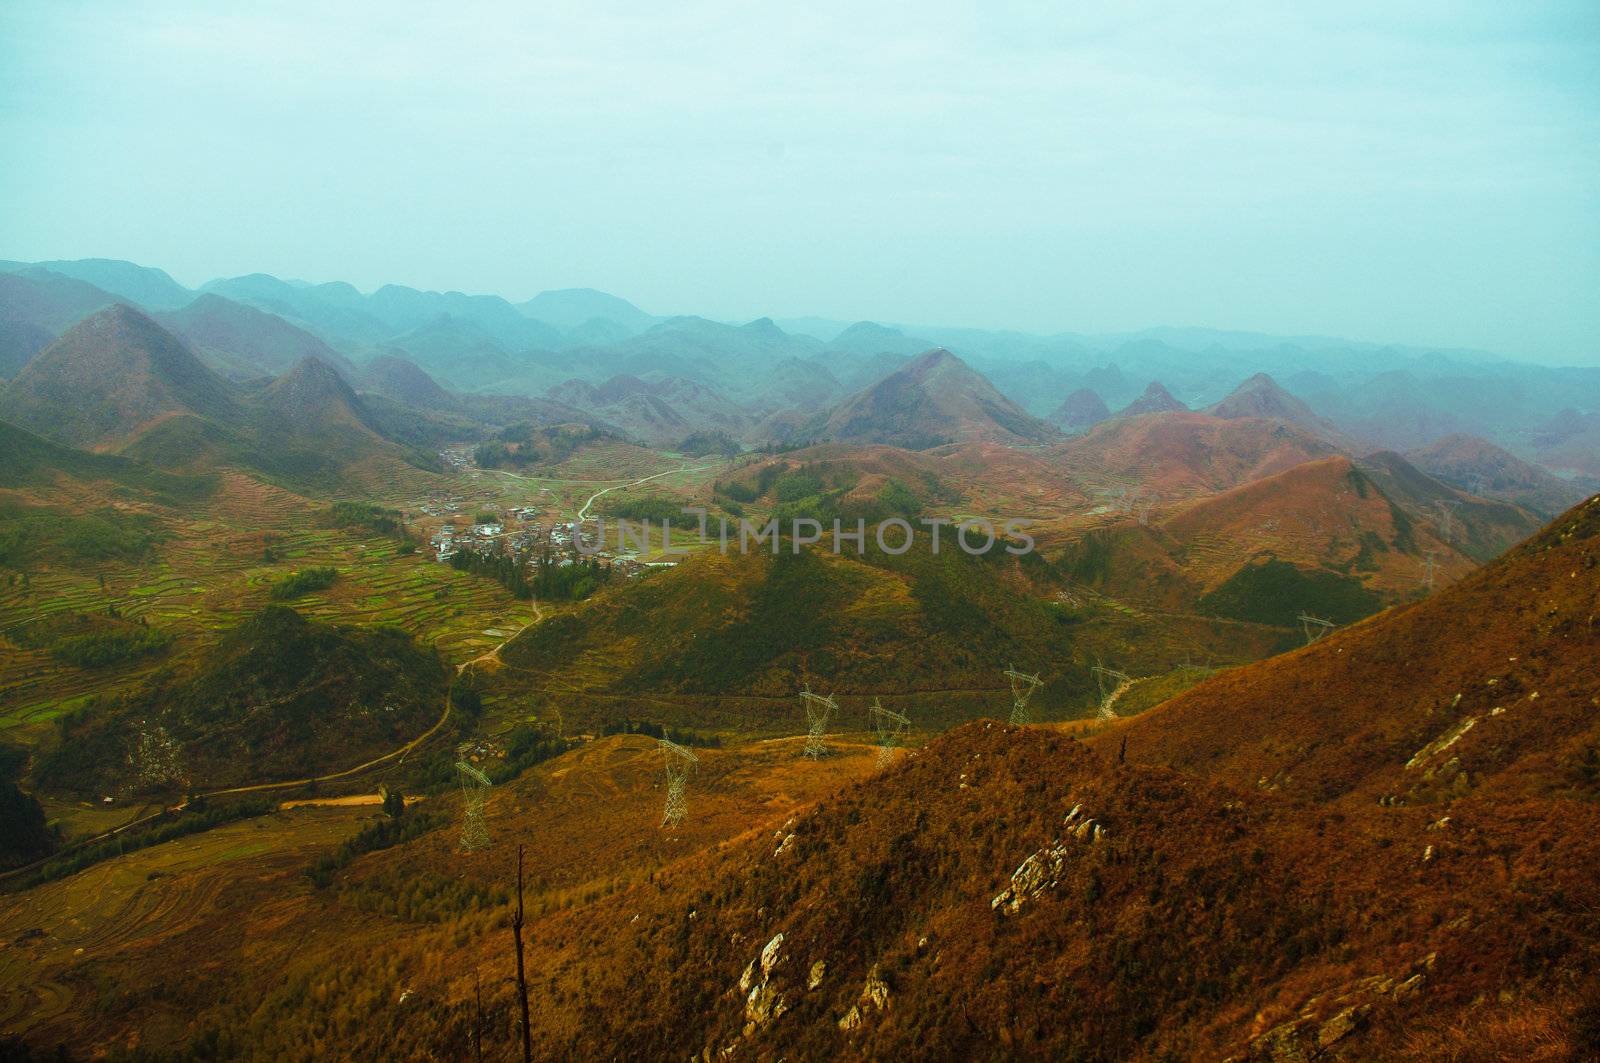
999,894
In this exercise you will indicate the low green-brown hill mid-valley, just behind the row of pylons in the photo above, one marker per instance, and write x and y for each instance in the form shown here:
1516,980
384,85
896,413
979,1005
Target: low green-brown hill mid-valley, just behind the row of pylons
754,628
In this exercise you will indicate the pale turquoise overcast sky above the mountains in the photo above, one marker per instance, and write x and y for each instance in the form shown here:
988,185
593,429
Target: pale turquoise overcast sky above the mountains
1422,174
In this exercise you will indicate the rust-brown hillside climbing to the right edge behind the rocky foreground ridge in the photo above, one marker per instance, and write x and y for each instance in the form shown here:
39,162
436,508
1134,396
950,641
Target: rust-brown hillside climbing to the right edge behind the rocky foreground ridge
1489,684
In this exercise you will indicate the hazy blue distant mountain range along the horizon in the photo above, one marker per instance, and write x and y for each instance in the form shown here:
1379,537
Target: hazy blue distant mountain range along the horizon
825,380
